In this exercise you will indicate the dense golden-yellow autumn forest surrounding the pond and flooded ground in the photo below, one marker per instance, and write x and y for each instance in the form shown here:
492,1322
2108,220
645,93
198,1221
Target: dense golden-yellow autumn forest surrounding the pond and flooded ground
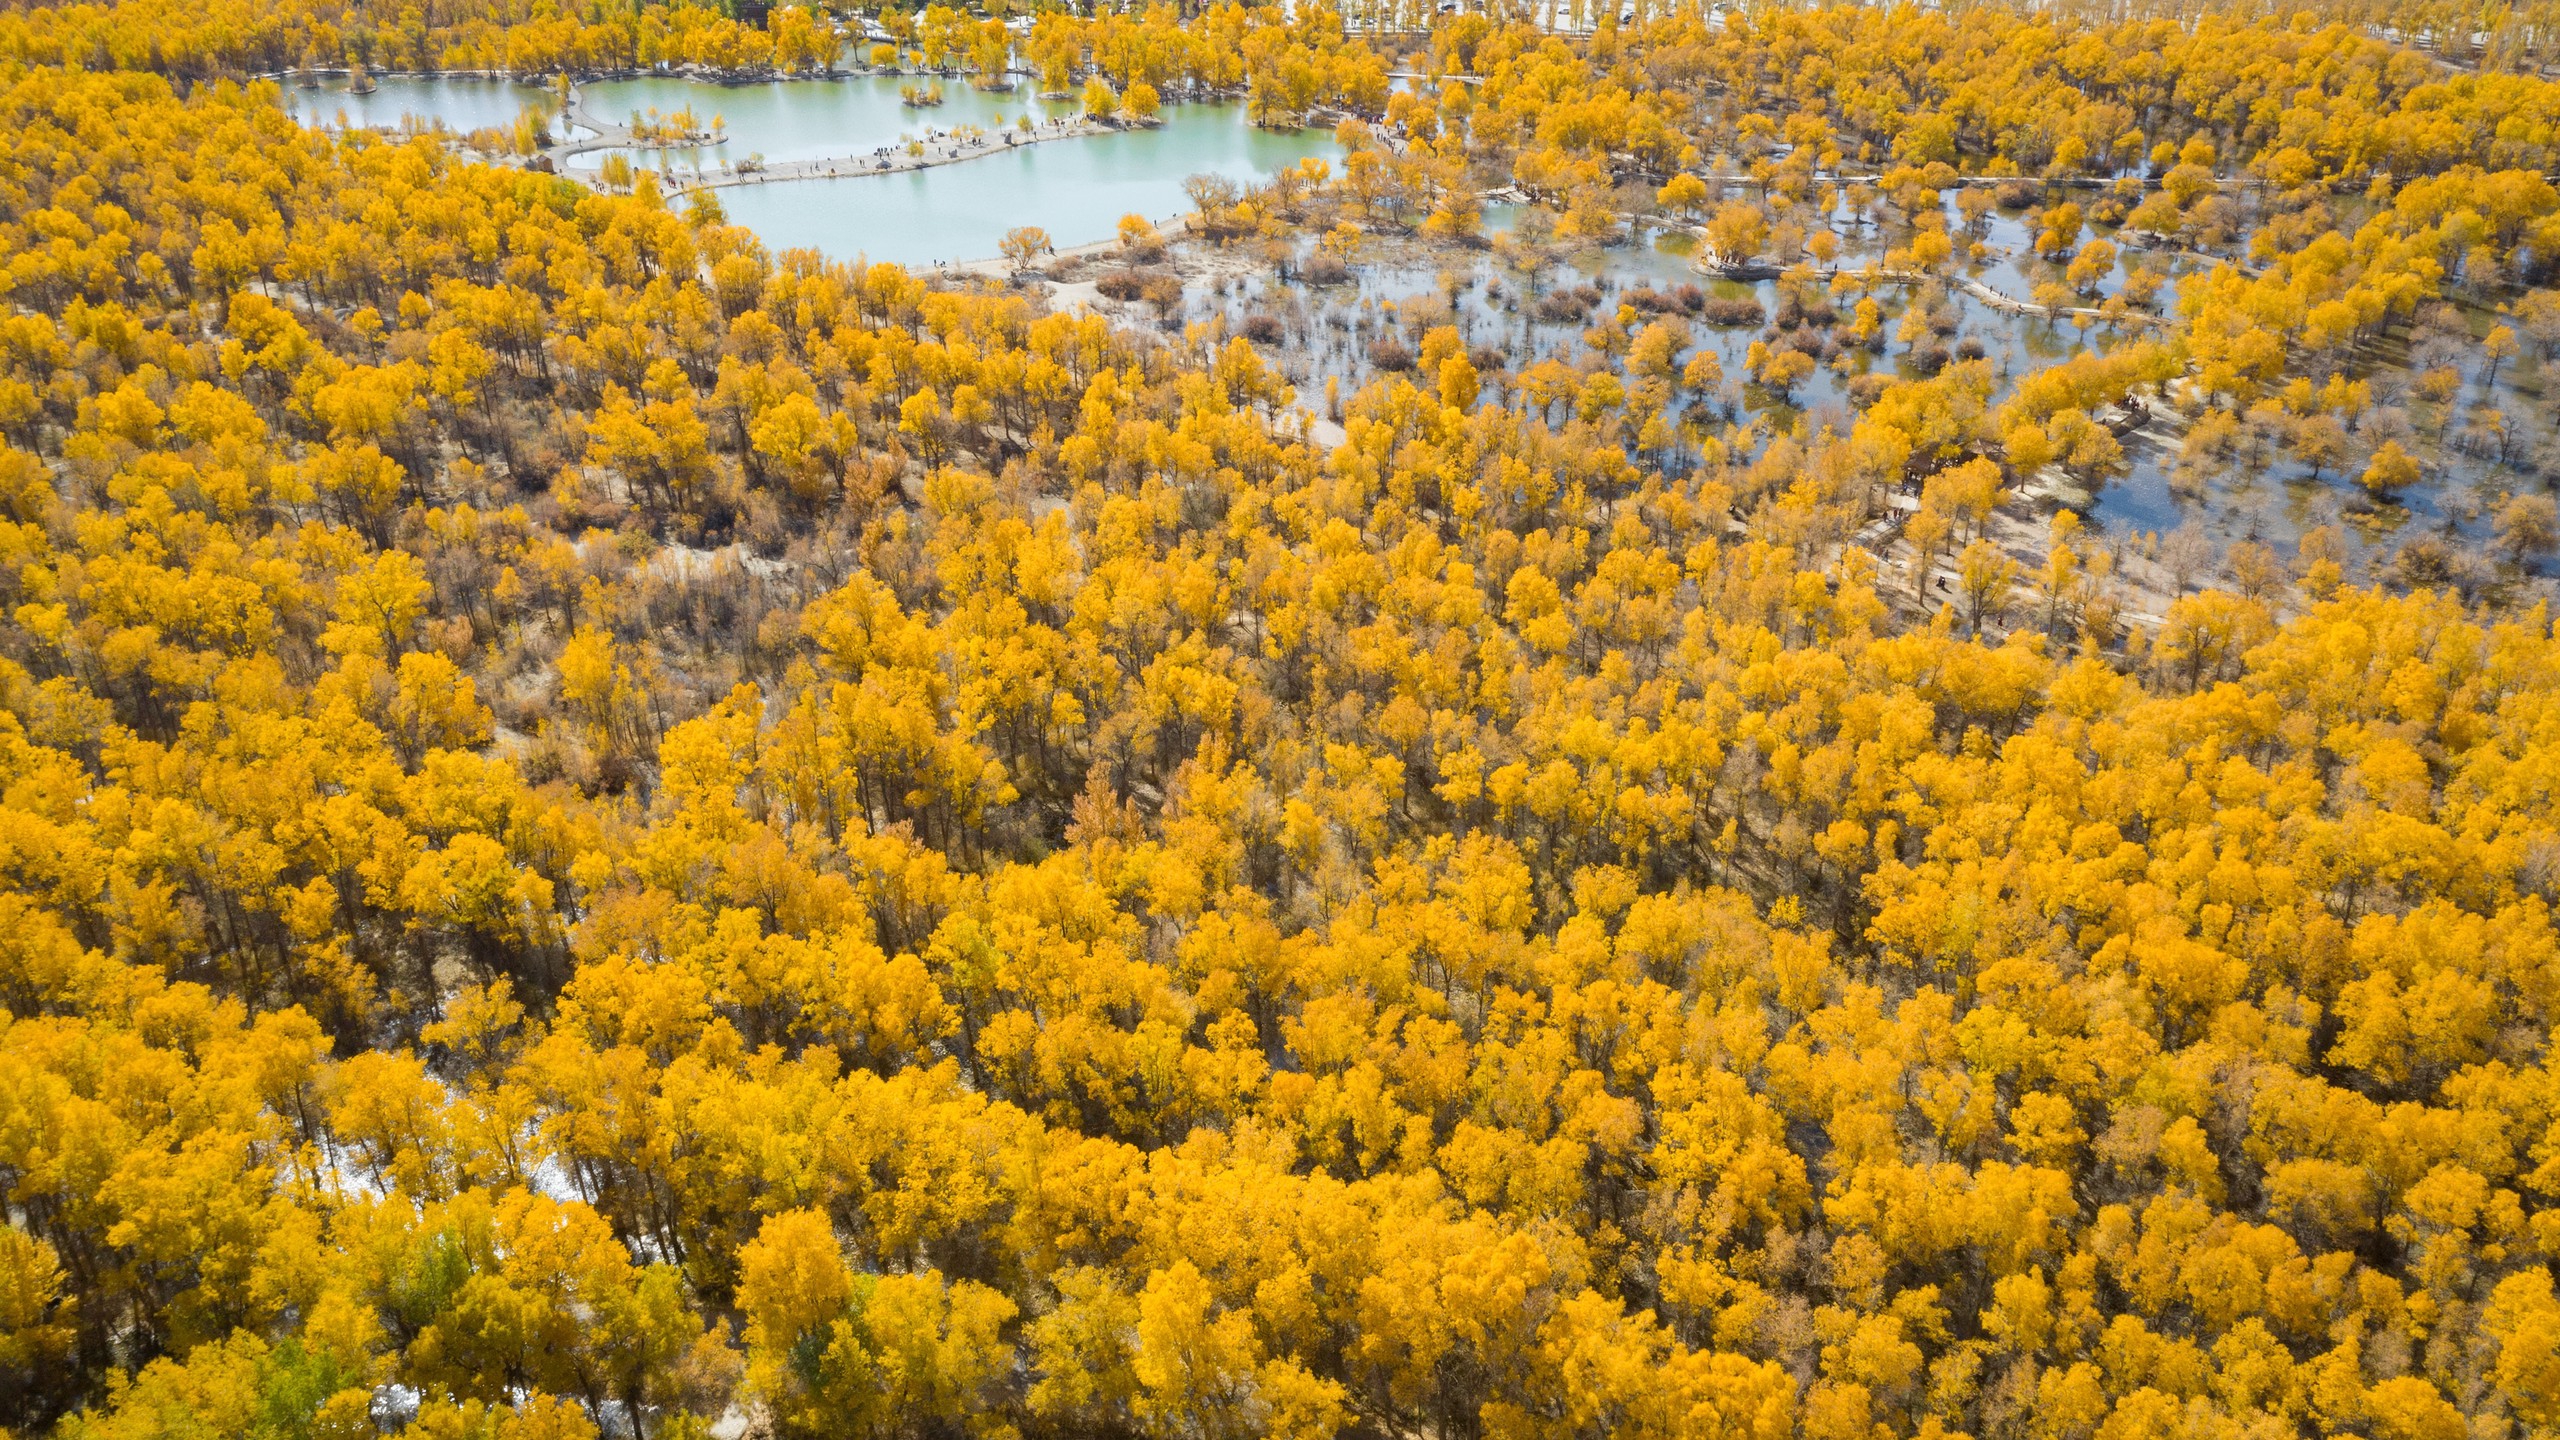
616,834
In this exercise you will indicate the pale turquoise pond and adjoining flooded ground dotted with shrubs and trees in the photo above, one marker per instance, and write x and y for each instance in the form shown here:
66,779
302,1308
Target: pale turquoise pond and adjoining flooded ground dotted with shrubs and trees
1350,301
